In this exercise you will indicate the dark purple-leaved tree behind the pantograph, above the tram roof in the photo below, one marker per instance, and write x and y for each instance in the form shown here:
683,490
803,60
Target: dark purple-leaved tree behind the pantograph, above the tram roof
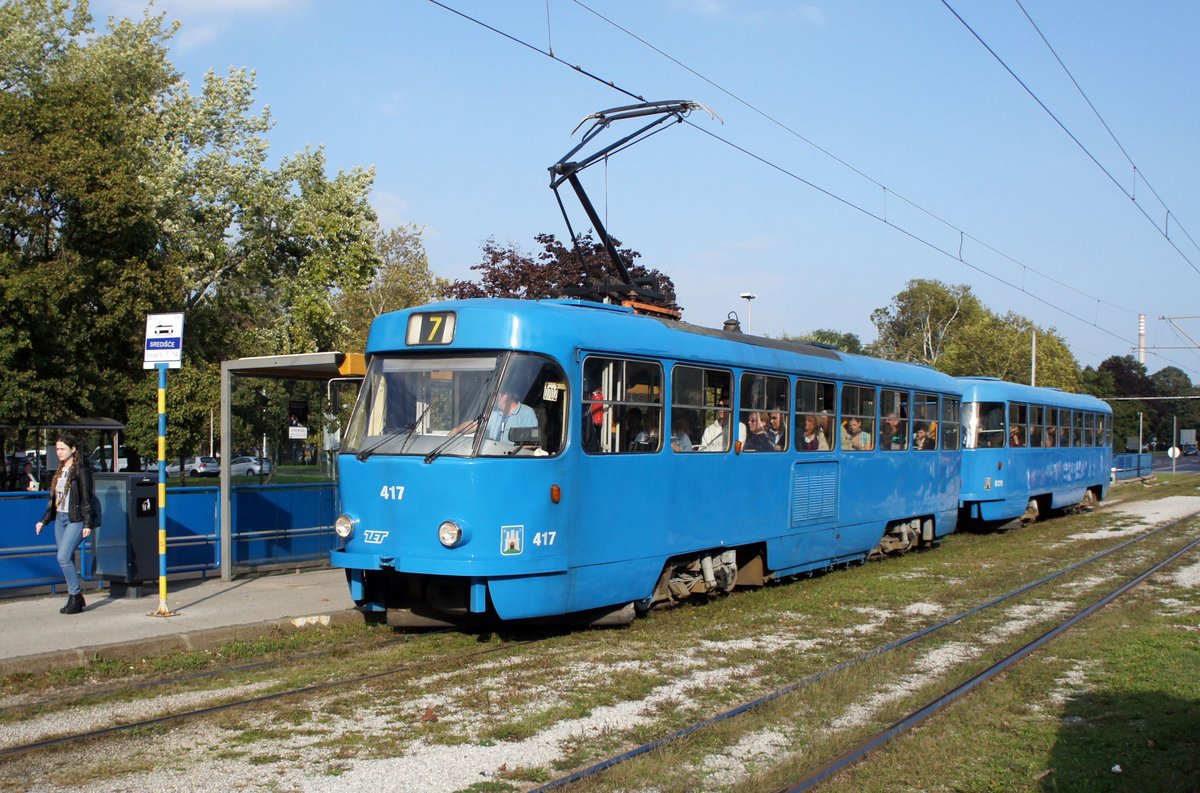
509,273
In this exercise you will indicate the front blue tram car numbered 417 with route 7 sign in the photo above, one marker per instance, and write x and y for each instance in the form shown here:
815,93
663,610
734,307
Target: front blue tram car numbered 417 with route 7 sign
529,460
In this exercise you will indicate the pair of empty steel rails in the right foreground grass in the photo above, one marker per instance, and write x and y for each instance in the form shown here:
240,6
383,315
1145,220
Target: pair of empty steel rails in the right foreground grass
833,766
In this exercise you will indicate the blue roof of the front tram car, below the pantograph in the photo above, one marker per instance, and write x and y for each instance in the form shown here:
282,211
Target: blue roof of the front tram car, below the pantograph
568,327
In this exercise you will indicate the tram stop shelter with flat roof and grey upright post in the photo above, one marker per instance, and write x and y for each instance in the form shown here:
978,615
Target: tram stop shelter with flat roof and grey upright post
305,367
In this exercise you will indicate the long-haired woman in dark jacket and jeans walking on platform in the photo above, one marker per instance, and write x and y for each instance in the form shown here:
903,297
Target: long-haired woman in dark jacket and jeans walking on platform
70,508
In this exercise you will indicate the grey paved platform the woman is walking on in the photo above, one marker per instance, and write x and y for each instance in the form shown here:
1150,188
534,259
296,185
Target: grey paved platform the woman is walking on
34,636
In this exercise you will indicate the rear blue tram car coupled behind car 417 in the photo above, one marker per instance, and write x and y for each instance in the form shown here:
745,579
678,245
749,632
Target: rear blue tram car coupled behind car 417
1030,450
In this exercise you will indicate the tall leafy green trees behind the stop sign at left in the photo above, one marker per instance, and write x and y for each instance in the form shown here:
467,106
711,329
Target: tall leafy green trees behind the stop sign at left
122,195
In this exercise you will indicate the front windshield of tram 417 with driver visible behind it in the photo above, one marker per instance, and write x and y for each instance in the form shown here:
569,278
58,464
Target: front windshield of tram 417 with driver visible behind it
478,405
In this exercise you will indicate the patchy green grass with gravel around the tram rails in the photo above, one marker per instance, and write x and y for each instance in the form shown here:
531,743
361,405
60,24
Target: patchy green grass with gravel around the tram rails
1121,681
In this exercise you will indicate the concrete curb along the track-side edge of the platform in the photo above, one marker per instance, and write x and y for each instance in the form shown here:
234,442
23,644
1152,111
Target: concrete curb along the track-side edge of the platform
200,640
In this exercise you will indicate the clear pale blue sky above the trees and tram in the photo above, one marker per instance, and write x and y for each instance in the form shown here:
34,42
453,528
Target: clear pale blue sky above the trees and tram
857,146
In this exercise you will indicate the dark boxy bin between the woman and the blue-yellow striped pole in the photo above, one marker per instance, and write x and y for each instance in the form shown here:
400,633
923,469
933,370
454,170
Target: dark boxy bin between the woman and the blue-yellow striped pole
125,548
